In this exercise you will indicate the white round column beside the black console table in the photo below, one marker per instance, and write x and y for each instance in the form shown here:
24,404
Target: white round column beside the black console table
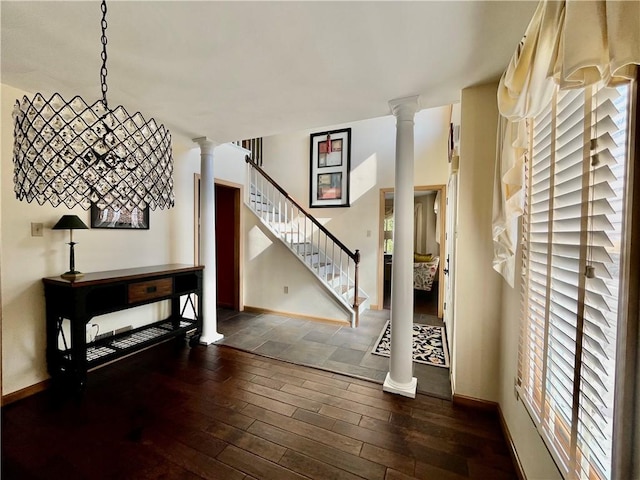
208,242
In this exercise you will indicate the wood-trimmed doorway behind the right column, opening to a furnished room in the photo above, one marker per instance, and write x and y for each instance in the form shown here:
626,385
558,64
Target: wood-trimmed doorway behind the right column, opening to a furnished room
429,239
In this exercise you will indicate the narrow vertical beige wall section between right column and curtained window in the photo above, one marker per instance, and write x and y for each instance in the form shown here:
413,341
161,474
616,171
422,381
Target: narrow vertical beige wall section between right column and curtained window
477,307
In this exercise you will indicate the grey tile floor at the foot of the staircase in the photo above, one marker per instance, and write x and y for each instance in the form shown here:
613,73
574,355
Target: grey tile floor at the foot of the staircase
330,347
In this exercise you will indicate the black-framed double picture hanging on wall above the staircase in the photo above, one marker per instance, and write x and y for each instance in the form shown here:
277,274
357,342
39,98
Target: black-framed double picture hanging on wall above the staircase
330,168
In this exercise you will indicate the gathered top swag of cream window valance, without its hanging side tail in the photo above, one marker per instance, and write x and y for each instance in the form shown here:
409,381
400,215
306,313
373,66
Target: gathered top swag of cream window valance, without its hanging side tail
573,44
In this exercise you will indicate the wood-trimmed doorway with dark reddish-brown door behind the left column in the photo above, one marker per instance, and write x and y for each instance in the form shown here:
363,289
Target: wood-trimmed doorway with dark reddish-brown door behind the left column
228,245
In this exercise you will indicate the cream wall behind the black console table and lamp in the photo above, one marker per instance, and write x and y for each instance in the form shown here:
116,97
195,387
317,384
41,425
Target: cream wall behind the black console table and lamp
26,259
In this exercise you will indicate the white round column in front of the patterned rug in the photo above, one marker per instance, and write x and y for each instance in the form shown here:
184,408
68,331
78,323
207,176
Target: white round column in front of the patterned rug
400,379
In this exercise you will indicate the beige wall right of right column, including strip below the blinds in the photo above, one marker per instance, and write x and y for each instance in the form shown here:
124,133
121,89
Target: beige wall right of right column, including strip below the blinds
487,310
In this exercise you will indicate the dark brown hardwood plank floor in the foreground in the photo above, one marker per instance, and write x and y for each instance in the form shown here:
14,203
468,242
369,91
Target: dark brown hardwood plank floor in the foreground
220,413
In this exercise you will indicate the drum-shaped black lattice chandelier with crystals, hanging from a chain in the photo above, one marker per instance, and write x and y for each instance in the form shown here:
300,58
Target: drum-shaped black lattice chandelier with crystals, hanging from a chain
72,153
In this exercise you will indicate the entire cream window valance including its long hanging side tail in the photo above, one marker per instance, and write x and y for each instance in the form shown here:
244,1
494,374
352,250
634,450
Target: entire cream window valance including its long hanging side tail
568,43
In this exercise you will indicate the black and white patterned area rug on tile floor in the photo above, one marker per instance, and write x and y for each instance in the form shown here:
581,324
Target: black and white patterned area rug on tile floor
429,346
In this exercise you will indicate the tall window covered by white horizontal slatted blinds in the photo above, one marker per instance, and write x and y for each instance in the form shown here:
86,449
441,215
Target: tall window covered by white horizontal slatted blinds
571,236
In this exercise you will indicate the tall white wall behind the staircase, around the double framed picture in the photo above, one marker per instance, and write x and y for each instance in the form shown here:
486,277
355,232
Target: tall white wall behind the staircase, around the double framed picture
286,159
